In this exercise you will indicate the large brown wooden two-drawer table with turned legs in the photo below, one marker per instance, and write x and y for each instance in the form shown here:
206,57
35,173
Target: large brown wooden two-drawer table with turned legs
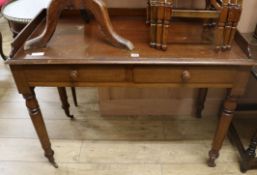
79,56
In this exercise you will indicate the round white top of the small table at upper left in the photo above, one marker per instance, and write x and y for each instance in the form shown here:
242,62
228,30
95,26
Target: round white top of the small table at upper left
24,10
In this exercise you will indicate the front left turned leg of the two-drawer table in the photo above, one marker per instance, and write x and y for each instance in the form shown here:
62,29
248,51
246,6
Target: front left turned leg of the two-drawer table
39,125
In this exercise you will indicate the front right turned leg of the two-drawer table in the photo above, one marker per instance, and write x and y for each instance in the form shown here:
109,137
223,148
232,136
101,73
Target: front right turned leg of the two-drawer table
222,129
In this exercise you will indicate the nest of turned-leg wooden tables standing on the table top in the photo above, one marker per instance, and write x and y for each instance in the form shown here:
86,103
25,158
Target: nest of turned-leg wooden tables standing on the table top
226,12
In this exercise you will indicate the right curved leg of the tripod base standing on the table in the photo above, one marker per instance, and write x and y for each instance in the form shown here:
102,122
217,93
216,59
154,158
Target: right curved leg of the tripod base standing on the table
99,10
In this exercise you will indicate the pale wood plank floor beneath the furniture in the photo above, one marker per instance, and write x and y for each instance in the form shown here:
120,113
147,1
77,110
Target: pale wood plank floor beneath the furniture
96,145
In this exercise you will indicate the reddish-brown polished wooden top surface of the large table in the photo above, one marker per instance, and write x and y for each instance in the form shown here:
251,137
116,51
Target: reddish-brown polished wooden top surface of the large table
75,42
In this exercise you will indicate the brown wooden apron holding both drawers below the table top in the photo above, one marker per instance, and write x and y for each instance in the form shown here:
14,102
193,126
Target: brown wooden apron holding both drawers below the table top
129,75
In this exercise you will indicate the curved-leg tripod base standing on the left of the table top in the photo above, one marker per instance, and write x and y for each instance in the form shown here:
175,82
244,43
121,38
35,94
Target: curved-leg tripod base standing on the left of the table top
96,7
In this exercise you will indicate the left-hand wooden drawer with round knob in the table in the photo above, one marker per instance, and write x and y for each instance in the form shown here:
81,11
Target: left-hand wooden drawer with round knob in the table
76,74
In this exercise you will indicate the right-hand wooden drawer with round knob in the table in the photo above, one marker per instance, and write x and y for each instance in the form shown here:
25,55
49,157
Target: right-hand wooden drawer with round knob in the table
184,75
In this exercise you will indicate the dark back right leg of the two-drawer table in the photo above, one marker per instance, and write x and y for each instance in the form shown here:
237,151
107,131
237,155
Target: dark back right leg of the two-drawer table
200,101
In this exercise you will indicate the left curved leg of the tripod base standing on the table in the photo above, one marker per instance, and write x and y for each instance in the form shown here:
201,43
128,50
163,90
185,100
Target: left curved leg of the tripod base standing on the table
53,14
